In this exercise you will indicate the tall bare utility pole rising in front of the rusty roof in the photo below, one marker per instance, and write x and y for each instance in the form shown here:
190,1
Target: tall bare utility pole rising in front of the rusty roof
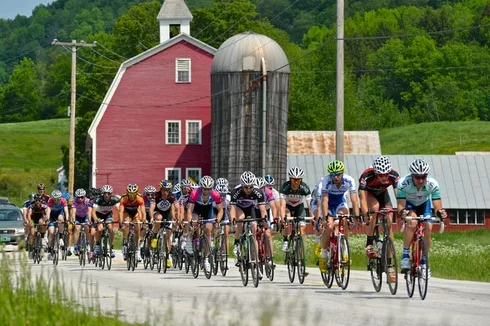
339,132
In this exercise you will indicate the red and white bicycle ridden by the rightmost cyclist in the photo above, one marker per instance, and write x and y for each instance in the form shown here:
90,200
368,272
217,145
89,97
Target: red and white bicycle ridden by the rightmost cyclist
418,251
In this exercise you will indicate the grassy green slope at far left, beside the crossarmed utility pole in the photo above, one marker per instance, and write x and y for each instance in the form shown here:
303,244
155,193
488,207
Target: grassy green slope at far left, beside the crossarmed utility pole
31,153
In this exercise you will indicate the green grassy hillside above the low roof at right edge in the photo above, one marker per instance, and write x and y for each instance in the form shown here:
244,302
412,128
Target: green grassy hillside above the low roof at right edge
436,138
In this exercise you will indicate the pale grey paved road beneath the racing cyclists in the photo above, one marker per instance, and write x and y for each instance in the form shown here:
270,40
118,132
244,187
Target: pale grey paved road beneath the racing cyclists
179,297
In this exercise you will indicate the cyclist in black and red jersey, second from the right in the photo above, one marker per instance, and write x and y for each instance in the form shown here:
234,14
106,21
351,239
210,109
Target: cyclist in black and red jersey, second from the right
373,195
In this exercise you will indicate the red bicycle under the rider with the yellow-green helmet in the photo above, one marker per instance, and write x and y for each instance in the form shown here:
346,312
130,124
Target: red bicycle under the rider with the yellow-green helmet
339,262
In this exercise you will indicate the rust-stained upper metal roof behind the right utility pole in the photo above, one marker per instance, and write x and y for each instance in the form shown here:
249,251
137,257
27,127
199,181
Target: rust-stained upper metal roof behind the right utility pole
323,142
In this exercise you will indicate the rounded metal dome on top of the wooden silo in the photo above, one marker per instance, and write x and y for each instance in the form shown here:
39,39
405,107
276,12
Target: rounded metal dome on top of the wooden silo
230,55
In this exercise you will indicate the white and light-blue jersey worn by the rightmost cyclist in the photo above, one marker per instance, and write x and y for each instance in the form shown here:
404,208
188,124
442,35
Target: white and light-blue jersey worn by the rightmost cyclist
407,190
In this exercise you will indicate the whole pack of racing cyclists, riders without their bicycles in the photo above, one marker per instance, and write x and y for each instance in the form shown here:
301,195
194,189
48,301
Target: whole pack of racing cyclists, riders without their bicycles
214,202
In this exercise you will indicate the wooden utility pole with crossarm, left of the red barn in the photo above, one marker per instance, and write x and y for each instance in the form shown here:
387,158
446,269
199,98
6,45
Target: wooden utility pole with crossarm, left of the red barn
74,45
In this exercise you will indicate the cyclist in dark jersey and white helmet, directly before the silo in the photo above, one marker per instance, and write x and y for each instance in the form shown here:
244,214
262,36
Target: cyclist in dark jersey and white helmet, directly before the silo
244,198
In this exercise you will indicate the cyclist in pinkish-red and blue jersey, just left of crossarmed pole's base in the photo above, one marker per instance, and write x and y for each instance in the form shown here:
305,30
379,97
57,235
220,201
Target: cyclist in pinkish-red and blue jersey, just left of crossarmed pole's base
58,210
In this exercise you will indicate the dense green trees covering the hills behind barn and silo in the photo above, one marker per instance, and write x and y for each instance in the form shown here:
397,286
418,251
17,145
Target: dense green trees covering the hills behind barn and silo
406,61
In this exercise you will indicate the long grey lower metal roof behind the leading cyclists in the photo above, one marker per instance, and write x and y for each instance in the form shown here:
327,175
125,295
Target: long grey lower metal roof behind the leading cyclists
464,180
